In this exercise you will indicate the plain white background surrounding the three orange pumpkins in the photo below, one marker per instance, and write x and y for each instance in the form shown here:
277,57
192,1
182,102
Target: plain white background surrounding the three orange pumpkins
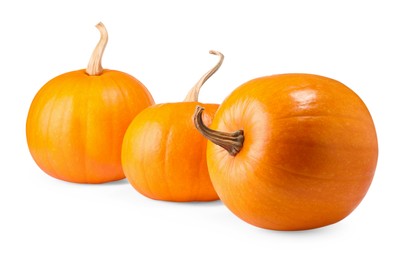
165,45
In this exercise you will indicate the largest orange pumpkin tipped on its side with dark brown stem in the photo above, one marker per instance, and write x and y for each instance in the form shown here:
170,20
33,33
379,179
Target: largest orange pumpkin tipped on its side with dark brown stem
291,151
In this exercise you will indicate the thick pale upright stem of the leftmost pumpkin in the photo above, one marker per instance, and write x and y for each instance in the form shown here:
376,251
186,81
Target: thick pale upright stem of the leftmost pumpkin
95,63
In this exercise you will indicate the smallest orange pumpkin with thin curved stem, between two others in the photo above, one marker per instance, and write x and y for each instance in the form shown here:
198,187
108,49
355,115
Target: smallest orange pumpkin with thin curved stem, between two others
163,156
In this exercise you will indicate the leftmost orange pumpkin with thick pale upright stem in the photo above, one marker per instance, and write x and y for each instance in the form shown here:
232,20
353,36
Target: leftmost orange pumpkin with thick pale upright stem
77,120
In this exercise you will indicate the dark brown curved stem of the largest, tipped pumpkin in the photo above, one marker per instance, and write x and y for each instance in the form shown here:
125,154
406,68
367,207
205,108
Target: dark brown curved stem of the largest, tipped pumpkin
231,142
